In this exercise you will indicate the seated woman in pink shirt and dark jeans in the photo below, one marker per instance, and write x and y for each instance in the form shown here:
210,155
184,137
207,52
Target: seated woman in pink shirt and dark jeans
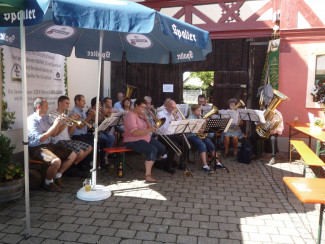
137,137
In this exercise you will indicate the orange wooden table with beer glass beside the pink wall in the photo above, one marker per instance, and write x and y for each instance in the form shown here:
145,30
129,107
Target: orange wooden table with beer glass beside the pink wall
304,128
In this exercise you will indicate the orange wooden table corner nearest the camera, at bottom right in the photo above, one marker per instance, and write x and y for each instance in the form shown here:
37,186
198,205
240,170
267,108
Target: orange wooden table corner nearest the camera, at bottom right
309,190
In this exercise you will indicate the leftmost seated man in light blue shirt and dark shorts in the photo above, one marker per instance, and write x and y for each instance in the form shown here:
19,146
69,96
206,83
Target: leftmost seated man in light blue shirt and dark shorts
58,158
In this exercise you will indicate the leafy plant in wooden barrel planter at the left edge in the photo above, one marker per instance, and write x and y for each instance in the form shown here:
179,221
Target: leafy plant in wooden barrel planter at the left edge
11,174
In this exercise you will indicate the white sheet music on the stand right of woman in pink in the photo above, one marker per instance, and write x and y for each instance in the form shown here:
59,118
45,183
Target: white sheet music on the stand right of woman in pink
190,126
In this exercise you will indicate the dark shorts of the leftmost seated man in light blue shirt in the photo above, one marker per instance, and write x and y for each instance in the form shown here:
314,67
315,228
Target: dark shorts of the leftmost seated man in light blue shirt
48,152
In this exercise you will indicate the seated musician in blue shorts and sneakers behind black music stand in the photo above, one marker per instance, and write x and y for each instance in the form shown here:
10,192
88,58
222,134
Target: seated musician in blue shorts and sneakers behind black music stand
203,145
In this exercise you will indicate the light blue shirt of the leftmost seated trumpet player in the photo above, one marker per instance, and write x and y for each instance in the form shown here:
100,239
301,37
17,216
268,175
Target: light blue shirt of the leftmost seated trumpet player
36,126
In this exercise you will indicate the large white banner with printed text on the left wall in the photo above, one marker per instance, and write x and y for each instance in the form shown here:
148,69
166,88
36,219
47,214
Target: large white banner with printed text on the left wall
45,78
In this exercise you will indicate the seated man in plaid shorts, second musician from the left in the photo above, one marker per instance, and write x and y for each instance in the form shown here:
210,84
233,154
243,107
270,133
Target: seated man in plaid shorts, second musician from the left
62,137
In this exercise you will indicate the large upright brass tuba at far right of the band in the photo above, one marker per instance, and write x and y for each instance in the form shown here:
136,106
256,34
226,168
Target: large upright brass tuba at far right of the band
273,120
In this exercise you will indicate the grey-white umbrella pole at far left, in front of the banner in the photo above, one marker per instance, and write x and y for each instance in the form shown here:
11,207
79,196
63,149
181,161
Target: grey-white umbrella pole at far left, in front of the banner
25,133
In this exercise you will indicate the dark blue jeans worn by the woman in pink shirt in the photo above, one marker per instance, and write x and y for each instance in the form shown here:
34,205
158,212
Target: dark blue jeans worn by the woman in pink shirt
152,149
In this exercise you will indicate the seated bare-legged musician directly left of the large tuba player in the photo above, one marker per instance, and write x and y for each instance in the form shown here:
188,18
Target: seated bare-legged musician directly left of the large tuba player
234,130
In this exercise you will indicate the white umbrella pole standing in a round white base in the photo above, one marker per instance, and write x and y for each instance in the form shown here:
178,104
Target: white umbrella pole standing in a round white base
98,192
